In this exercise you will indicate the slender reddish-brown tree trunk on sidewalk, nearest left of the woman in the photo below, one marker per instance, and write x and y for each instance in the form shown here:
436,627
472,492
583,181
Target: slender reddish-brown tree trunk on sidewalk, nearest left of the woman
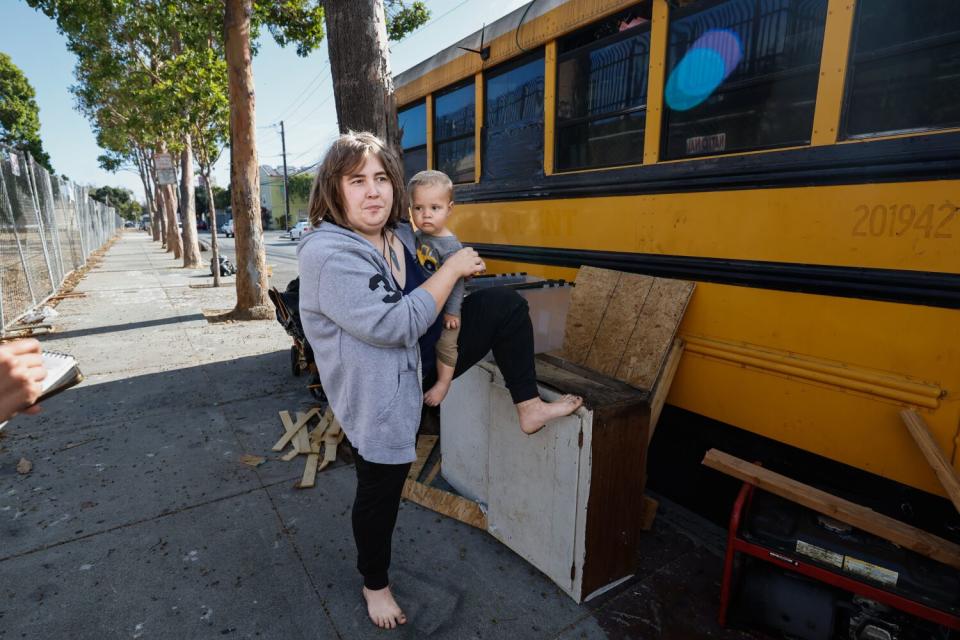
252,301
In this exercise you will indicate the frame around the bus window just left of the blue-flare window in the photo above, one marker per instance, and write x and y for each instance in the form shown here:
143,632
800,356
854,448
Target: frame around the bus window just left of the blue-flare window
561,57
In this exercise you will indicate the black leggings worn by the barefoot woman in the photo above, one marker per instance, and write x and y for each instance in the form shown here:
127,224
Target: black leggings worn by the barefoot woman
496,319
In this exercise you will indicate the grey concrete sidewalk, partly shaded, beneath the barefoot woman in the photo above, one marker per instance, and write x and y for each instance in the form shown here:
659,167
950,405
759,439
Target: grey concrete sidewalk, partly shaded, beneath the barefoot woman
139,521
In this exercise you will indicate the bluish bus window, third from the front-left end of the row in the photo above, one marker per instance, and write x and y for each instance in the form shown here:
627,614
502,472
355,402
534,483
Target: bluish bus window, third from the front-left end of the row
513,120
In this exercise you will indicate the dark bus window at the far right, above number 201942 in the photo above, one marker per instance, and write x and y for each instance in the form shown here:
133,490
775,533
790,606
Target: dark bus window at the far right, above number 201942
904,72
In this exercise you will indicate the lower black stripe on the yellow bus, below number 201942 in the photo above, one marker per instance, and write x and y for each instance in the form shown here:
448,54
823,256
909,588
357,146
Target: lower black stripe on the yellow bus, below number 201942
889,285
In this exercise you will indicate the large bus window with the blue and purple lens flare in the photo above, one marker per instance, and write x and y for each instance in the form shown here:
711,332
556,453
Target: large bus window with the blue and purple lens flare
741,75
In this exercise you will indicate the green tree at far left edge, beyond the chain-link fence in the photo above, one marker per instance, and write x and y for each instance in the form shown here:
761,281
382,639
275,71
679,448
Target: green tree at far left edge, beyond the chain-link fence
19,113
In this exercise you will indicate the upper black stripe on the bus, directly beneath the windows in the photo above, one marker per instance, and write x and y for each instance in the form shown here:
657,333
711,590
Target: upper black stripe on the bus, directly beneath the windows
923,157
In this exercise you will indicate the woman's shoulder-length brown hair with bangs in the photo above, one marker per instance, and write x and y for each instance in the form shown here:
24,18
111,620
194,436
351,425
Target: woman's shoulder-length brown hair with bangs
346,155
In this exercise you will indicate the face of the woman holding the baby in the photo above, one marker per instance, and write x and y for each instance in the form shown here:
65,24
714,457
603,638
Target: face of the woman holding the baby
367,197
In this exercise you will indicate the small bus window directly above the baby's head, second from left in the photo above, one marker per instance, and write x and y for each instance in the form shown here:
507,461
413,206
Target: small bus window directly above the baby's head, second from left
454,113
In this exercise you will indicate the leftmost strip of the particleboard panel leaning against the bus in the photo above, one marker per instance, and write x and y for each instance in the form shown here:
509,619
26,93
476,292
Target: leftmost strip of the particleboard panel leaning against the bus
588,303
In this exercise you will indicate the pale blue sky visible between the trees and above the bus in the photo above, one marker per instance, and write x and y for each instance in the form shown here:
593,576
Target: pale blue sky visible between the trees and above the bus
297,90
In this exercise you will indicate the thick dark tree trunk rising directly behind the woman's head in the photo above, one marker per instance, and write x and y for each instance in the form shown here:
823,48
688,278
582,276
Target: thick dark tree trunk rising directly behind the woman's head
360,66
